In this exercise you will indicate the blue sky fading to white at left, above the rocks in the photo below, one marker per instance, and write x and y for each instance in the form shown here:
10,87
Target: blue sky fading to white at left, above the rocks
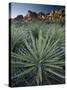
22,9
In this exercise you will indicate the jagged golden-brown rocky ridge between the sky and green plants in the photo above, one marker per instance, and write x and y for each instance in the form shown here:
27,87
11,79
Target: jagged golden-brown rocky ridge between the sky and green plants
53,15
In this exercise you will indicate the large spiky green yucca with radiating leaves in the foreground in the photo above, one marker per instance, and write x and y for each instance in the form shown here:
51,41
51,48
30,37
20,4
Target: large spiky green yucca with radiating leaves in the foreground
38,60
